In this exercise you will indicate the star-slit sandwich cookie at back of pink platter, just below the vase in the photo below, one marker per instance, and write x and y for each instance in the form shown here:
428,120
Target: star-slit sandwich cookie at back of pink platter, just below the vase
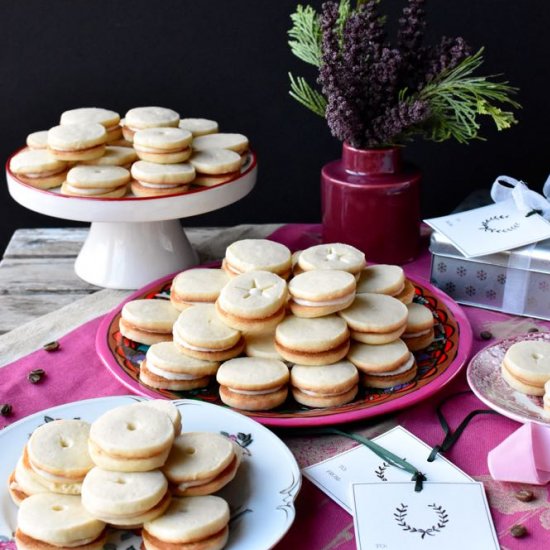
342,257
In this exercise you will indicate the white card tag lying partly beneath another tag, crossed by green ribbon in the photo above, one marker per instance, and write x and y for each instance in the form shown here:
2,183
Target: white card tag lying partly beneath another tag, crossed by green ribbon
335,475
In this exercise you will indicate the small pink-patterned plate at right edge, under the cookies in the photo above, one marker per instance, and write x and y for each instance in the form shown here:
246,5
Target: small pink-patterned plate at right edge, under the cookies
484,378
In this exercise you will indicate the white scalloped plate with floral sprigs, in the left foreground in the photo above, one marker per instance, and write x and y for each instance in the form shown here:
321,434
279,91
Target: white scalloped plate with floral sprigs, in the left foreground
261,497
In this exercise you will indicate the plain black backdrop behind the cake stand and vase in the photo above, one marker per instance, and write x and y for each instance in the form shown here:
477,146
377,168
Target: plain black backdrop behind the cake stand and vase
228,60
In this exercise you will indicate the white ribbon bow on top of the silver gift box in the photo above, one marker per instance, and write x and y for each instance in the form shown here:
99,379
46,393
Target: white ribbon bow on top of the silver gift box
527,200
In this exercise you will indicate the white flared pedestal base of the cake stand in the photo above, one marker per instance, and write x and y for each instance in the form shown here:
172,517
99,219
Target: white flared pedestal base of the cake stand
130,255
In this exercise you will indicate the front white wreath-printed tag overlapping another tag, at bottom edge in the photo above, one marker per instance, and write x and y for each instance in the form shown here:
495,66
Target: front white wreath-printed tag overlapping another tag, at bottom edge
392,516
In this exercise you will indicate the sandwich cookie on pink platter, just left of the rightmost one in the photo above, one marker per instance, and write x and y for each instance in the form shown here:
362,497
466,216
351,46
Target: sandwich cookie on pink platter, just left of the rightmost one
375,318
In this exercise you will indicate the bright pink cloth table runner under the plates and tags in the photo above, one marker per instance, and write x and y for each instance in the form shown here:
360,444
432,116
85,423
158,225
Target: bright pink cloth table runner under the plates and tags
74,372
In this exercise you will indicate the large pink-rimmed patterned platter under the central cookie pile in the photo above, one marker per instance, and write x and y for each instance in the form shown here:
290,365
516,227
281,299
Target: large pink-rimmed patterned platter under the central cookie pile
438,365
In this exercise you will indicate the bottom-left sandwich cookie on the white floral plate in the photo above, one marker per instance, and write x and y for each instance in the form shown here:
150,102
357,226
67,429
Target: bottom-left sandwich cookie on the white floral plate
48,521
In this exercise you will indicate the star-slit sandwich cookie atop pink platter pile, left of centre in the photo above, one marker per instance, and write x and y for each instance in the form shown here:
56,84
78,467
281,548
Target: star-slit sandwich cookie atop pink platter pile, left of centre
253,302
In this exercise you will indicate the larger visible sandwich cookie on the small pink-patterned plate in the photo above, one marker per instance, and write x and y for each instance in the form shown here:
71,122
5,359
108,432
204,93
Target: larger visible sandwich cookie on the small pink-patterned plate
526,366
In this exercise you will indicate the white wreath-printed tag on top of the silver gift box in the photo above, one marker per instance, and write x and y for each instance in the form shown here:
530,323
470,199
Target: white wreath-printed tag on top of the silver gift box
491,229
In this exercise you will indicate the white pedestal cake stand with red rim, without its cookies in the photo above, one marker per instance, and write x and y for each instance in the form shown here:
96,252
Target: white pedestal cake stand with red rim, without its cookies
133,240
